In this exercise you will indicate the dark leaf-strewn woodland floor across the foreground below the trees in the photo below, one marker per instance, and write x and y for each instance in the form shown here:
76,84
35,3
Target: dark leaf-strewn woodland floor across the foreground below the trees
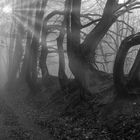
43,116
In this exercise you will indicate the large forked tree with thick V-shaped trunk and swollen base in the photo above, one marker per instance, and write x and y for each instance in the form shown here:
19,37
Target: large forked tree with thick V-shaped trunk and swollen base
92,80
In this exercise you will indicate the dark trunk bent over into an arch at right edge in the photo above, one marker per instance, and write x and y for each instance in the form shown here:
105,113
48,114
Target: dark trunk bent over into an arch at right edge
123,84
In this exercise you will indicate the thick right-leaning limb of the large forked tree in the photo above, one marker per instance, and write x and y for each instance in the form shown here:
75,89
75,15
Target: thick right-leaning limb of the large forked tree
95,36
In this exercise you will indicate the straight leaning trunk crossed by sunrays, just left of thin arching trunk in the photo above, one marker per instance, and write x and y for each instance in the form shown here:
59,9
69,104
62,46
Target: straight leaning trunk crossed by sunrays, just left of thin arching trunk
35,44
